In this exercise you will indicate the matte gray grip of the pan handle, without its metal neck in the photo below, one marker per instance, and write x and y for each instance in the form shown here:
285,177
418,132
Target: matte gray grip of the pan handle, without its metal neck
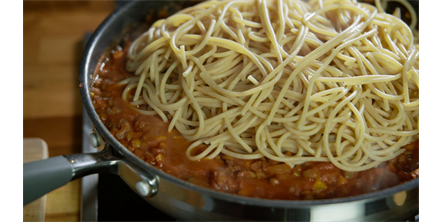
43,176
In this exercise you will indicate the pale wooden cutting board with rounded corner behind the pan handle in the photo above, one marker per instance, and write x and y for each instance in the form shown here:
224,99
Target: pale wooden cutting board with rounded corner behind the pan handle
34,149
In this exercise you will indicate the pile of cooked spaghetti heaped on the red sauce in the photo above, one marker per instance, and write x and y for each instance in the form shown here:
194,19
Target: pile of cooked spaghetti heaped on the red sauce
292,81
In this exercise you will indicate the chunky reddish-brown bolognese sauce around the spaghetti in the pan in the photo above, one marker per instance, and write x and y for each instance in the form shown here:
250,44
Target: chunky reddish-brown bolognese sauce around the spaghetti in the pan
149,139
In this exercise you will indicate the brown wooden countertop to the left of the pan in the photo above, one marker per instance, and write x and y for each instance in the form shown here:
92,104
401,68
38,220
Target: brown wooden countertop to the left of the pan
53,32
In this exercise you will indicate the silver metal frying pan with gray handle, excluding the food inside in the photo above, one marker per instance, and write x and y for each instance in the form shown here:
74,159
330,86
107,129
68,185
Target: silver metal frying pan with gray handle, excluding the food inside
178,198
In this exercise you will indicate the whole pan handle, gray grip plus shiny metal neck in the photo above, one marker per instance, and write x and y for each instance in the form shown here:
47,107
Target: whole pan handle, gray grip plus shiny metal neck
43,176
